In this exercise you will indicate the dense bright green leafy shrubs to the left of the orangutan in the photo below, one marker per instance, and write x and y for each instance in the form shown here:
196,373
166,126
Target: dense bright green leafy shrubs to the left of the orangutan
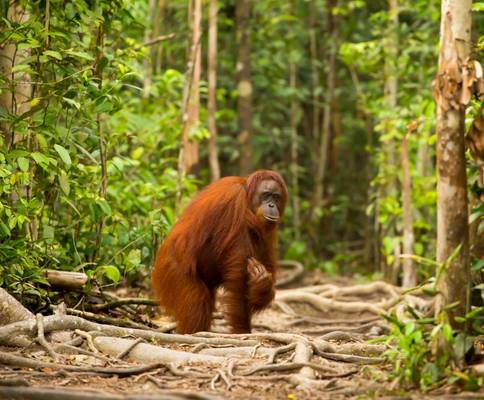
85,122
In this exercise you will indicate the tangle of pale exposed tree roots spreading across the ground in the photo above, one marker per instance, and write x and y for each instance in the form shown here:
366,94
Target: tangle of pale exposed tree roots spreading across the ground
314,354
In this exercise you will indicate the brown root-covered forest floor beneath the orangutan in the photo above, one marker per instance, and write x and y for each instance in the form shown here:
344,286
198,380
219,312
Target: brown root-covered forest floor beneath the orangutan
300,348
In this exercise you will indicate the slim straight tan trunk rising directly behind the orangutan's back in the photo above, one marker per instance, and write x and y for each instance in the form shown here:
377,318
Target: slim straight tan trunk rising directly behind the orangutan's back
212,91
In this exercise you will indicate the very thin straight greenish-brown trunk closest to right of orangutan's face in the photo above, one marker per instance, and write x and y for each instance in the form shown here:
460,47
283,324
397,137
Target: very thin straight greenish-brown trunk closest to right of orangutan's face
294,152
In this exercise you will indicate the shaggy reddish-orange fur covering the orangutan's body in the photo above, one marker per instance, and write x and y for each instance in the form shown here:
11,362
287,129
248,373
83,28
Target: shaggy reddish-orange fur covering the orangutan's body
209,247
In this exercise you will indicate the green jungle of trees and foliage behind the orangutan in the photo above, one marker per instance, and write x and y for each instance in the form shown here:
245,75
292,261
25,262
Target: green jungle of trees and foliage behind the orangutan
114,113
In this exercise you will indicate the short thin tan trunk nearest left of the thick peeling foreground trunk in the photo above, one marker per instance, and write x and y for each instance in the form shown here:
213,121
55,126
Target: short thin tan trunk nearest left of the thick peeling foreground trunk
409,273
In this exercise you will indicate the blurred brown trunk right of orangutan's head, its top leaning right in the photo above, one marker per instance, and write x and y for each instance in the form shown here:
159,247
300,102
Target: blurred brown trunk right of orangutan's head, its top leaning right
325,138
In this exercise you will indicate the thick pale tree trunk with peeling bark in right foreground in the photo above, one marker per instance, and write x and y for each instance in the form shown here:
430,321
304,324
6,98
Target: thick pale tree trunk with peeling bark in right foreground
452,214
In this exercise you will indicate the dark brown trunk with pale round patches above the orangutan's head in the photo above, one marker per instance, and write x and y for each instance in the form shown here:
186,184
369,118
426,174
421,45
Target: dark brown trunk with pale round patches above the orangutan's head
244,85
